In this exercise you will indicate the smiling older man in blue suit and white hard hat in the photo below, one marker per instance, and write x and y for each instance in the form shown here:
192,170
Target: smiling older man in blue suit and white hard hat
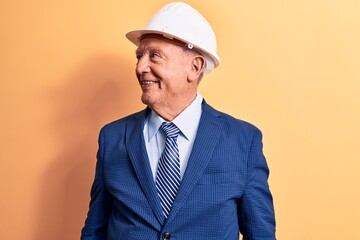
179,169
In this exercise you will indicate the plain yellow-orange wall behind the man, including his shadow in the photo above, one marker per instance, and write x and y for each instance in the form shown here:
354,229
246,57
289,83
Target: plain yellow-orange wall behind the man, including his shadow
290,67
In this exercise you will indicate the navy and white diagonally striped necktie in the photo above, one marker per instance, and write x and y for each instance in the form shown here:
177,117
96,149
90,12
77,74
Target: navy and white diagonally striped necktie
168,171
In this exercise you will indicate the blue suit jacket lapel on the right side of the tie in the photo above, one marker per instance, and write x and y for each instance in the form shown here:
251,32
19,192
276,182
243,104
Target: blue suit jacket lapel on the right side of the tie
204,145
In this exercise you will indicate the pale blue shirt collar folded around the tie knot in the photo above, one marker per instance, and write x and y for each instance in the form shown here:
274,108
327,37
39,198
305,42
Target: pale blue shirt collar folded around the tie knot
188,129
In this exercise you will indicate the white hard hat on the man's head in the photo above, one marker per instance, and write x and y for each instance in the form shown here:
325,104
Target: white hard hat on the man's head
180,21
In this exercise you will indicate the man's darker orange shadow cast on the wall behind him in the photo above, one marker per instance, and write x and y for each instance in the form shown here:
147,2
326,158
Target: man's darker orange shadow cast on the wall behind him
100,91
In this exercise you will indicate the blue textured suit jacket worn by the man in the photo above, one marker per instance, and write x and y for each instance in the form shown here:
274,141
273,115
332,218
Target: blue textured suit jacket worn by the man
224,189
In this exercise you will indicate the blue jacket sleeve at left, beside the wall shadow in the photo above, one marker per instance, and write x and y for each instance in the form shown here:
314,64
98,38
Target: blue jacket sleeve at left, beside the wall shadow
100,207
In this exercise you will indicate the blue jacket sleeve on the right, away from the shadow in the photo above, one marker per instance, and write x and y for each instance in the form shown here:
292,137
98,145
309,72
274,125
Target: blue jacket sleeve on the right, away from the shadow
256,211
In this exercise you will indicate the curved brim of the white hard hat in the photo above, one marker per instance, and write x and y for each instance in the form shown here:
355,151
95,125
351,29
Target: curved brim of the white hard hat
135,38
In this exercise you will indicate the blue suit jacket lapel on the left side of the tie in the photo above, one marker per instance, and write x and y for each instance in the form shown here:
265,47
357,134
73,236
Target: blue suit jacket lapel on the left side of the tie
139,158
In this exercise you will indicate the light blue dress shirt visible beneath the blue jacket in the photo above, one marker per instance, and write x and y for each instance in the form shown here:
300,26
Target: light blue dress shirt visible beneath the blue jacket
187,121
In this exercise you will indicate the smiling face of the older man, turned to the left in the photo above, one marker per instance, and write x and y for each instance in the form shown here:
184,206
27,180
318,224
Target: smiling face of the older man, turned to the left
163,73
